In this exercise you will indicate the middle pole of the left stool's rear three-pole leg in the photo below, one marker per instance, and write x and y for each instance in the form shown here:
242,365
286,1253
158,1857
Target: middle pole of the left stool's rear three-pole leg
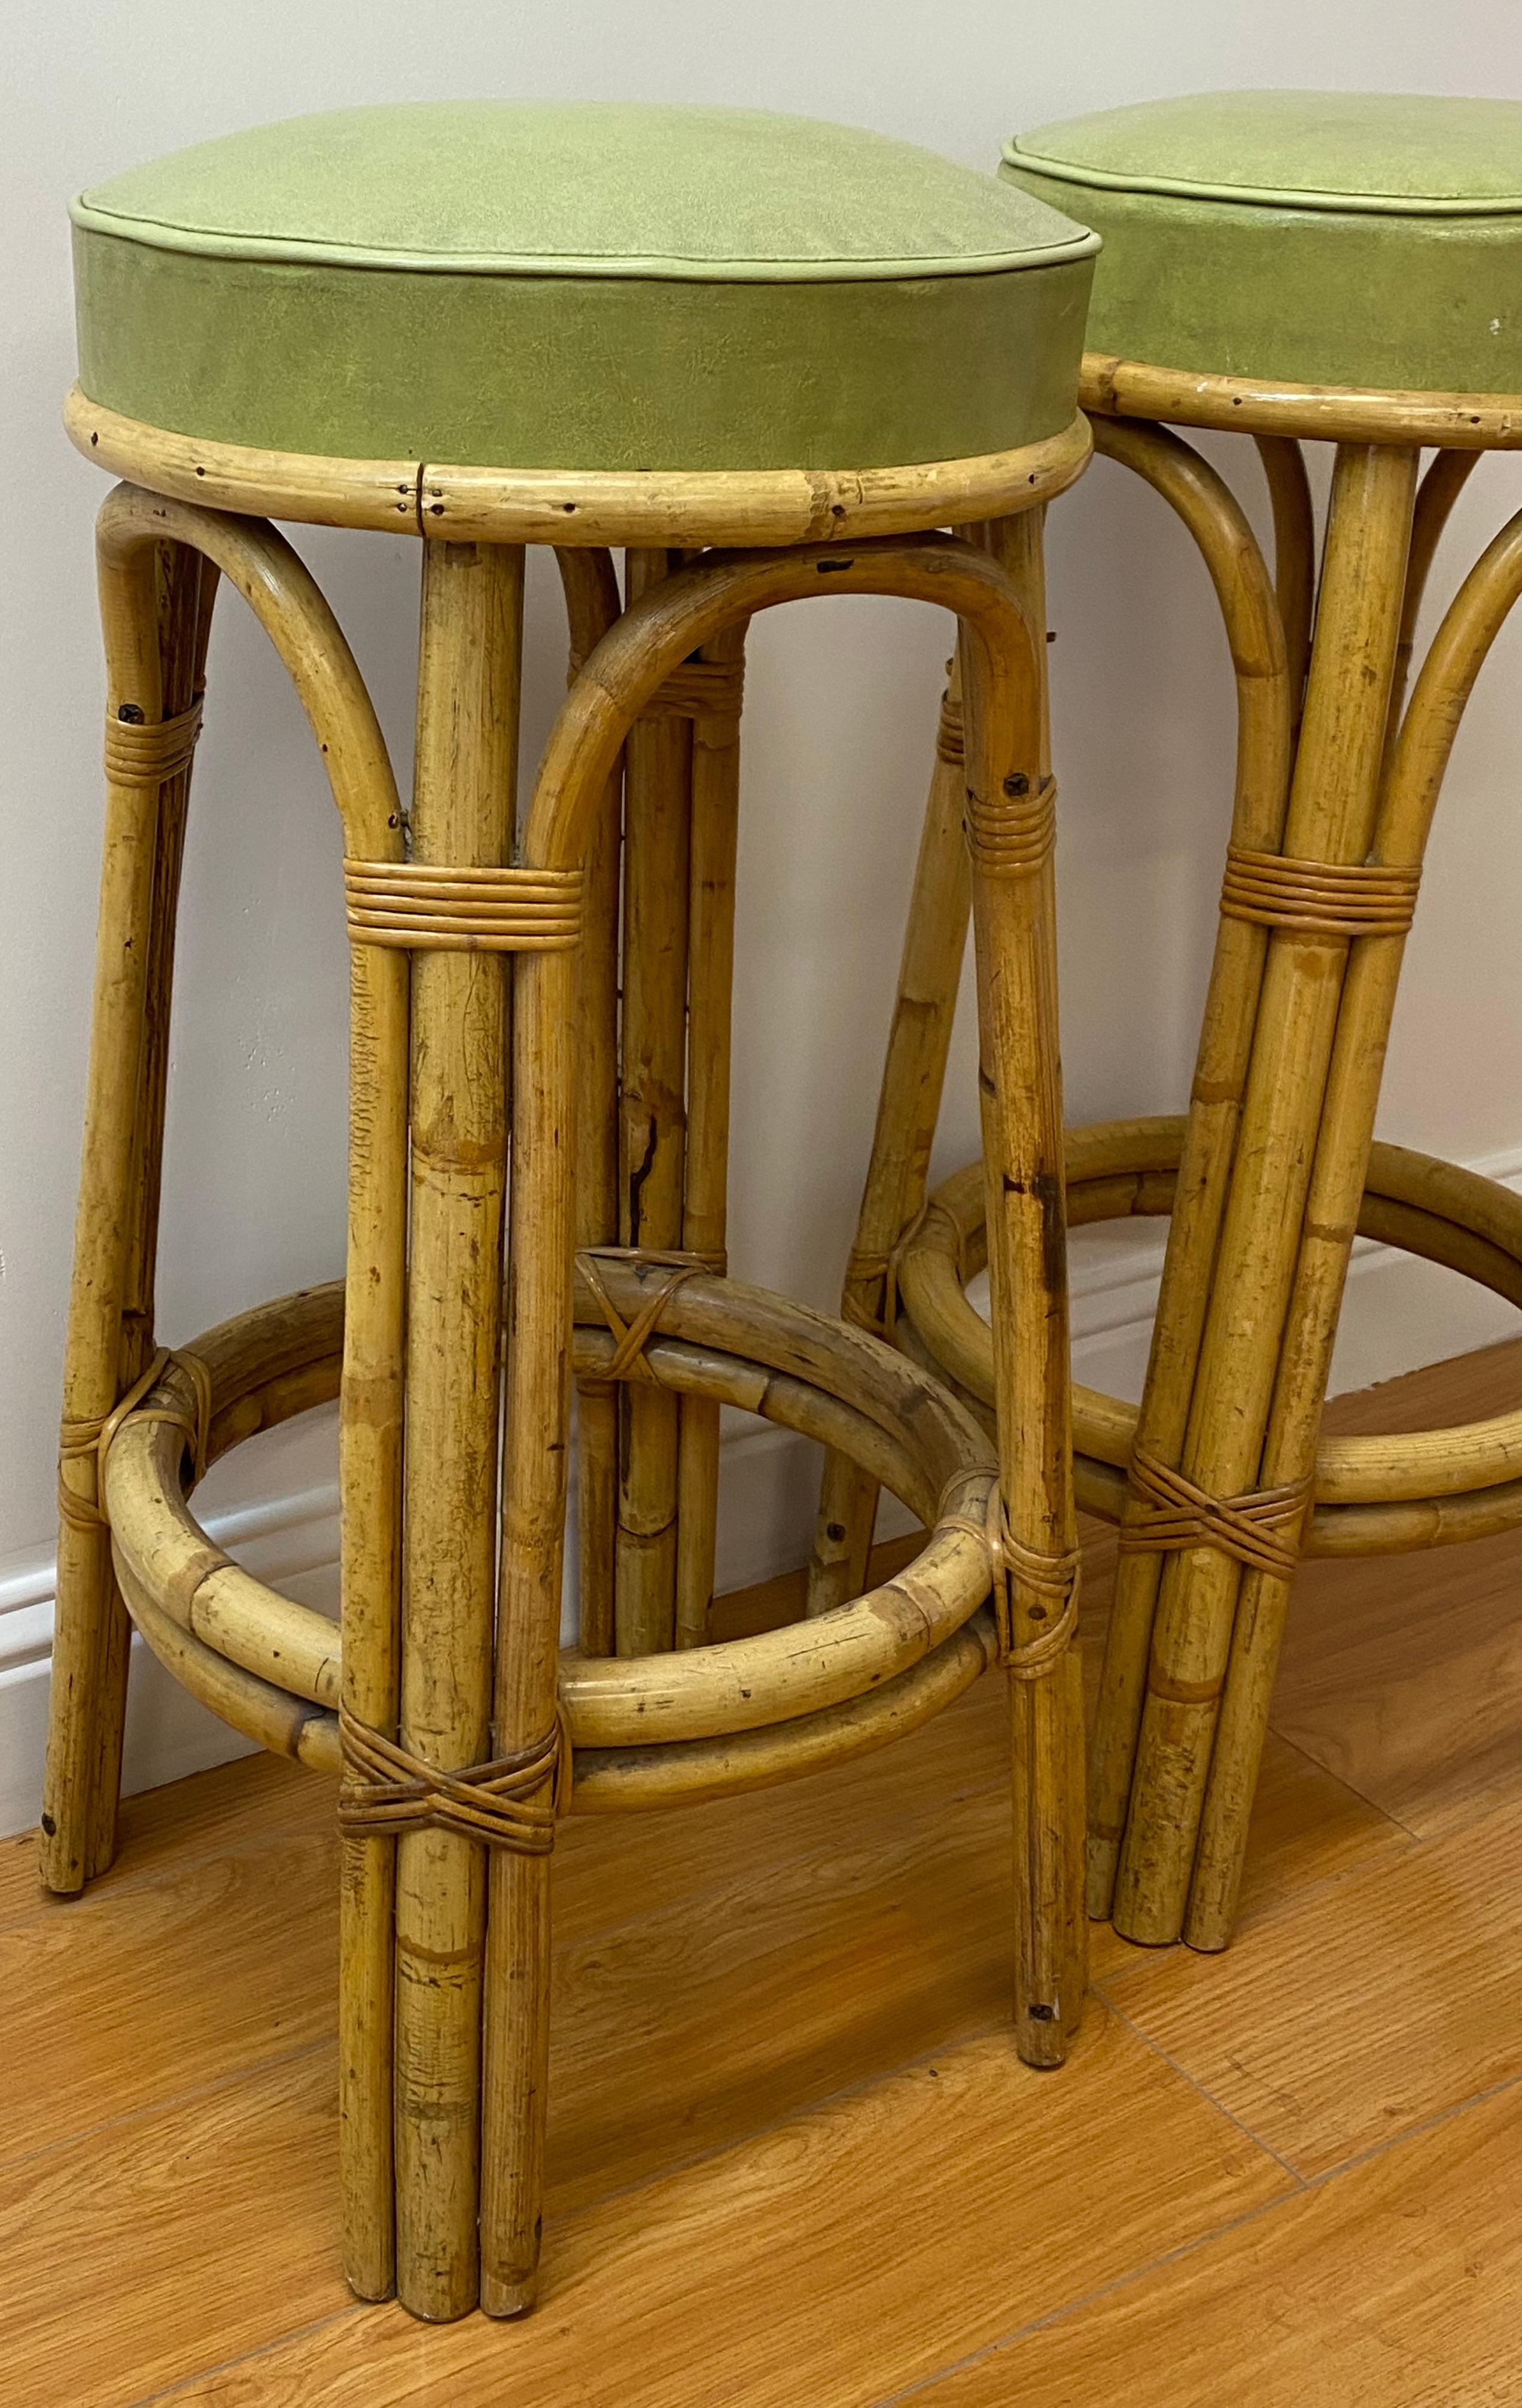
651,1131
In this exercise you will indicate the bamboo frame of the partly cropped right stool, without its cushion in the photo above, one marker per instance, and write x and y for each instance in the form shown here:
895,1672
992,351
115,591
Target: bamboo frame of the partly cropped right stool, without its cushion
1275,1167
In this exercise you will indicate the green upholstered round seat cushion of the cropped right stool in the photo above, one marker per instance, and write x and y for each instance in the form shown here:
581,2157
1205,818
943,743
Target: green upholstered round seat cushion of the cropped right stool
1304,237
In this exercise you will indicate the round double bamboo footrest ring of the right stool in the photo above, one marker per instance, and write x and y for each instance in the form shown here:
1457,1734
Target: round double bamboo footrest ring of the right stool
1374,1497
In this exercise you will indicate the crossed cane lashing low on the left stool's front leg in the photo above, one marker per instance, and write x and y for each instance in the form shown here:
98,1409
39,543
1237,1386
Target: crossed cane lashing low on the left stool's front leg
512,1802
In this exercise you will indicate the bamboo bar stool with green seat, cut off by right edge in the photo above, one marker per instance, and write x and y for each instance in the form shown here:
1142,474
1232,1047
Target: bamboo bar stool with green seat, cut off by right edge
1282,266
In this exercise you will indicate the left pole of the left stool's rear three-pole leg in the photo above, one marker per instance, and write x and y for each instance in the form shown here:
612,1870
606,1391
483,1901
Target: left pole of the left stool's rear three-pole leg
591,608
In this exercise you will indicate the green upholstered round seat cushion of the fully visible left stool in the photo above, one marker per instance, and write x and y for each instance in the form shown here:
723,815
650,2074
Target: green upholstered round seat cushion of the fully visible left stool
582,285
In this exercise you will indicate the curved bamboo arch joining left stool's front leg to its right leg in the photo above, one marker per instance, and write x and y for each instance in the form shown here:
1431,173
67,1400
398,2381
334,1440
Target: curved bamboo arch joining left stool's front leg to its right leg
1003,666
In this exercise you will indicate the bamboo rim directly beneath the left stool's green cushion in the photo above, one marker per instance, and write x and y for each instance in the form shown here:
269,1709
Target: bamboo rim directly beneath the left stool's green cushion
459,502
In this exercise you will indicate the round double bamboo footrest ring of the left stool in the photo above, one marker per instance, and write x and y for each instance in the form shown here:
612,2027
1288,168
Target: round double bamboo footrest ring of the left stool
649,1730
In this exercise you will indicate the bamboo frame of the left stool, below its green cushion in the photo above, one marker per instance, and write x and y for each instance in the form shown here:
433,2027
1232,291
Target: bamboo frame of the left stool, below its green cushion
468,1053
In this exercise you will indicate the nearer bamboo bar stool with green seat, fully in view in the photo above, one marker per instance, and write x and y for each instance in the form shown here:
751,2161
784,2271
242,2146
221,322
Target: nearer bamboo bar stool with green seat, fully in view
719,341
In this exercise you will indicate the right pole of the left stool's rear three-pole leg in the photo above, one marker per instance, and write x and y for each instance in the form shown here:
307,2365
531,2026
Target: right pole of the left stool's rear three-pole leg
707,1171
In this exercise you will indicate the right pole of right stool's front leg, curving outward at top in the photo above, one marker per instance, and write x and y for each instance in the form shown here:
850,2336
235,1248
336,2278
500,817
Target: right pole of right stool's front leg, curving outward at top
1417,760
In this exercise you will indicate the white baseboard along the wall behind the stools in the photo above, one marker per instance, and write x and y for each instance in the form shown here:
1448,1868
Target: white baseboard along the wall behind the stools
1400,1314
